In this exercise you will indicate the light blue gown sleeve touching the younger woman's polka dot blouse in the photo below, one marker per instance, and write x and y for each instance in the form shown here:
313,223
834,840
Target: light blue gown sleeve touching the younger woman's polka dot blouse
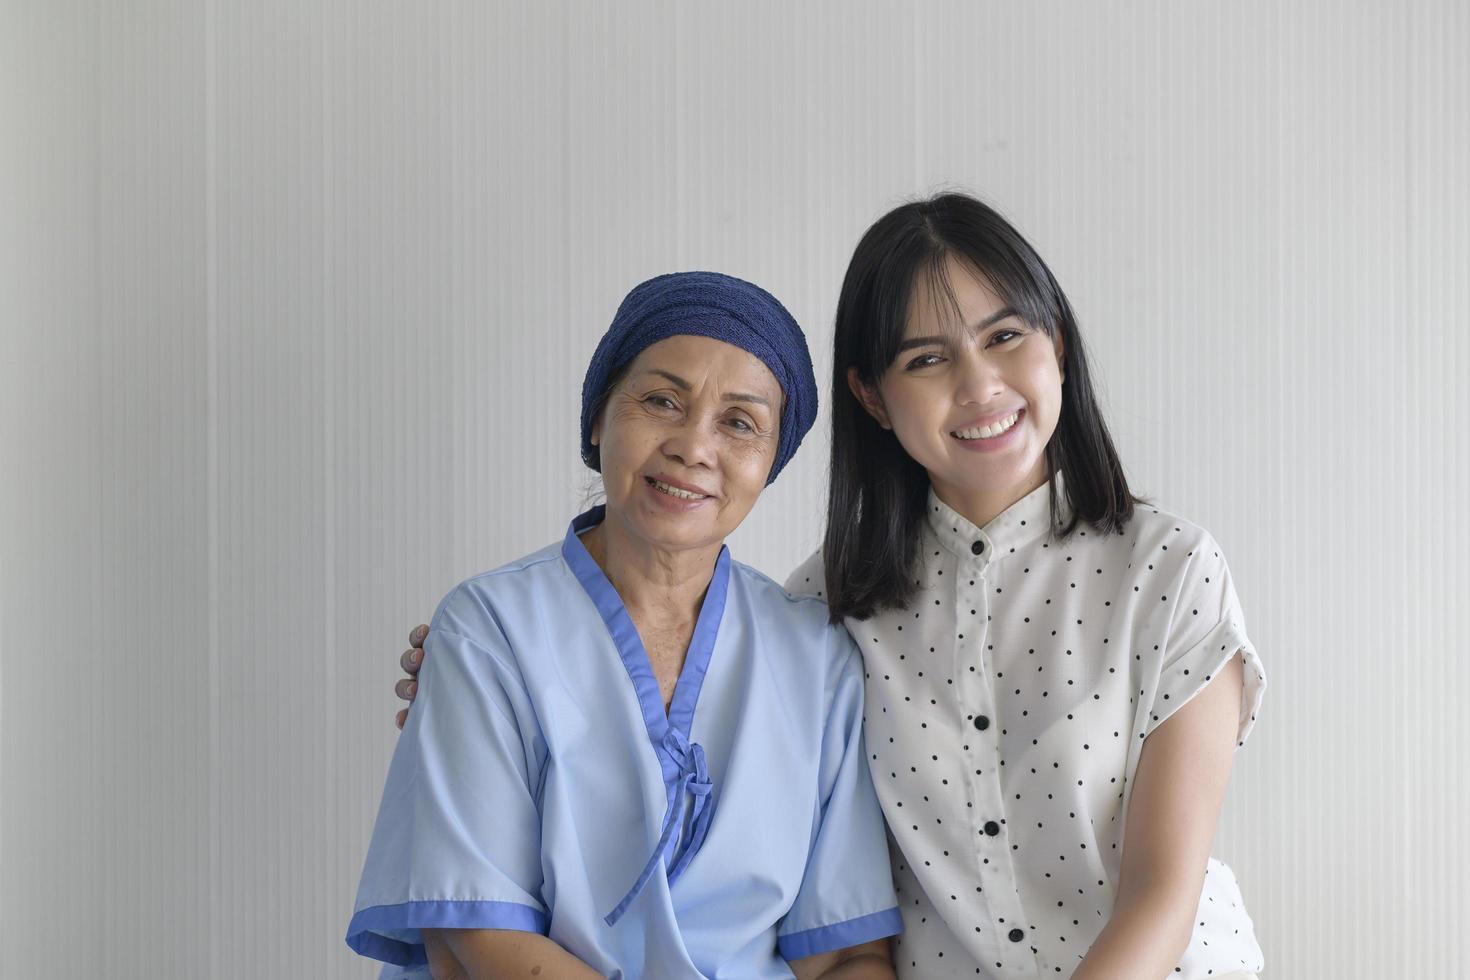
847,891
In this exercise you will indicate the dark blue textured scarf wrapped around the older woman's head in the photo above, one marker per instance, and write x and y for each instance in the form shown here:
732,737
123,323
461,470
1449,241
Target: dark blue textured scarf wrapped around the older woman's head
723,308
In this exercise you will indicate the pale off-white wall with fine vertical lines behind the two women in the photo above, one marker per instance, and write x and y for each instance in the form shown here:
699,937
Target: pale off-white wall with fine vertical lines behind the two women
296,298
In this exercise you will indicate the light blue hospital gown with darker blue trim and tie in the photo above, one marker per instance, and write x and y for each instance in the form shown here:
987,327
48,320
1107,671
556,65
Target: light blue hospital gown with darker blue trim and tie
540,787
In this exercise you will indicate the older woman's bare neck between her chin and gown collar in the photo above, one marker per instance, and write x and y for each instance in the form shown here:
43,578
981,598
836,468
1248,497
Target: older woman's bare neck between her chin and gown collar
652,581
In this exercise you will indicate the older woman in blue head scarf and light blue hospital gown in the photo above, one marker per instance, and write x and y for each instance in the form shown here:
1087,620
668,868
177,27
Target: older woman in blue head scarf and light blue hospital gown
633,756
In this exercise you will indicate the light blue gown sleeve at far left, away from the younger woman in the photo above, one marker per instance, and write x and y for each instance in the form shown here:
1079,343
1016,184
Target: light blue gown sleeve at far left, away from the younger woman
458,841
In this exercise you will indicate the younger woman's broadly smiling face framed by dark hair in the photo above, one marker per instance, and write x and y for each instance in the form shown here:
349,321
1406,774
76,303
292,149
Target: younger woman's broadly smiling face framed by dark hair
972,397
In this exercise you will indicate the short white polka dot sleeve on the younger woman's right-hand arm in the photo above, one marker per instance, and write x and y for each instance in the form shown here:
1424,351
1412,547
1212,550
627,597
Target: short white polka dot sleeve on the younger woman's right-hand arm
1205,633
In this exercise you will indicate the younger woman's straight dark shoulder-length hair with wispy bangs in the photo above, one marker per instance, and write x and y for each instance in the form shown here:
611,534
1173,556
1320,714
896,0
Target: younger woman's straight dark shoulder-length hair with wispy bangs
878,493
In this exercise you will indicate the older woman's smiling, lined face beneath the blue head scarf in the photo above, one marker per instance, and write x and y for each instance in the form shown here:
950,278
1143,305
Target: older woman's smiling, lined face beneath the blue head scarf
687,442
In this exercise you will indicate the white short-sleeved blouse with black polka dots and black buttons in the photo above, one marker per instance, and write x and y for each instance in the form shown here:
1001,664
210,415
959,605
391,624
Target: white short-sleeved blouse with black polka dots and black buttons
1006,710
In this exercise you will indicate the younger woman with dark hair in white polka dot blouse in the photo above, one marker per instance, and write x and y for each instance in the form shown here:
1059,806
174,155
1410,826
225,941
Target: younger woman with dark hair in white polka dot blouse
1049,660
